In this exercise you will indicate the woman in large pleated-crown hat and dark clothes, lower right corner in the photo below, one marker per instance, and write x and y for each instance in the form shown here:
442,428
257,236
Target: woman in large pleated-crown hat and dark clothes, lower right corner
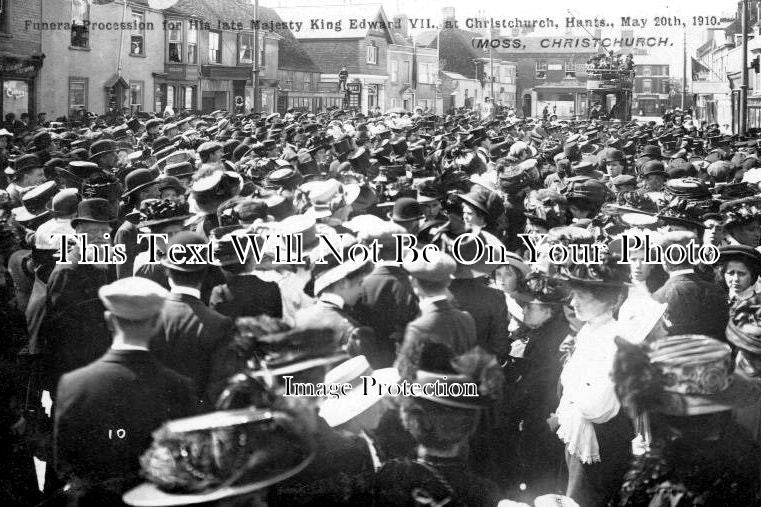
681,391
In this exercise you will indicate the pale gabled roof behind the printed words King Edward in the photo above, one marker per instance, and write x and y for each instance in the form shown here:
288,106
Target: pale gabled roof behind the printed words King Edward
373,14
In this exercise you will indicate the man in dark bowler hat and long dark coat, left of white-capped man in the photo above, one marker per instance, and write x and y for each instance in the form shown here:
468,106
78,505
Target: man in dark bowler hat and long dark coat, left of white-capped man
73,325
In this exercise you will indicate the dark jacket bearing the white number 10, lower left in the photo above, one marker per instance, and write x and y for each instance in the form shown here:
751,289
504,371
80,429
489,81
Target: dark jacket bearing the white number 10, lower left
106,411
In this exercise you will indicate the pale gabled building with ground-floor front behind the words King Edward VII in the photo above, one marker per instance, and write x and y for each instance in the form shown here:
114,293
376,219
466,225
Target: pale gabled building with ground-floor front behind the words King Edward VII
332,42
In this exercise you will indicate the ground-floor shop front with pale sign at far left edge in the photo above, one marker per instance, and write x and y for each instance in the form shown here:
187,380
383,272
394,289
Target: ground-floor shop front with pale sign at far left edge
18,76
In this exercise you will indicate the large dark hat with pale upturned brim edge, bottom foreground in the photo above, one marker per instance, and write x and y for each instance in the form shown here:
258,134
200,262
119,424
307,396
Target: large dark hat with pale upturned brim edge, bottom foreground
184,465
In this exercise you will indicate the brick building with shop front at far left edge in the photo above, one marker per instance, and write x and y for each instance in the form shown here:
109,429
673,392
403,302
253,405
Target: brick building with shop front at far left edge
21,57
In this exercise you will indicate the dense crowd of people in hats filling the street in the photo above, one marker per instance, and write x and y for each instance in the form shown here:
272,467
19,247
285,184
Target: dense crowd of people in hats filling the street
141,377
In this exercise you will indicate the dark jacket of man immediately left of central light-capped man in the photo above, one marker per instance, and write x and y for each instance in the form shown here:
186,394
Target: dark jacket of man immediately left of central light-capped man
387,305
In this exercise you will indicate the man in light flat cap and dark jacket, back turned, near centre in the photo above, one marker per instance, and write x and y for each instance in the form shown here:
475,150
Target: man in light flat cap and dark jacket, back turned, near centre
439,320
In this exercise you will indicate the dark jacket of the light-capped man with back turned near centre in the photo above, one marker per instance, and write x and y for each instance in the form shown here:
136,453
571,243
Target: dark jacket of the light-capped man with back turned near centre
439,322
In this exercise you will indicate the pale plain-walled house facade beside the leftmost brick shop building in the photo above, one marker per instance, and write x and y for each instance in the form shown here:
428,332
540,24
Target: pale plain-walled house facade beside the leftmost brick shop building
101,68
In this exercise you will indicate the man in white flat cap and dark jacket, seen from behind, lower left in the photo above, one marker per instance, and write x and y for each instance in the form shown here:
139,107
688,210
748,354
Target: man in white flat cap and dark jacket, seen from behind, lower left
107,410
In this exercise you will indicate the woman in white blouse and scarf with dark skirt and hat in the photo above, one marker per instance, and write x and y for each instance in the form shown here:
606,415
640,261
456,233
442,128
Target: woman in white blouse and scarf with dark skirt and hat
596,434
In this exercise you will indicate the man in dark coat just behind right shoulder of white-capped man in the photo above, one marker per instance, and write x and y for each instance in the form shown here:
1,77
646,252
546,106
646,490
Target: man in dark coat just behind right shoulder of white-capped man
190,333
